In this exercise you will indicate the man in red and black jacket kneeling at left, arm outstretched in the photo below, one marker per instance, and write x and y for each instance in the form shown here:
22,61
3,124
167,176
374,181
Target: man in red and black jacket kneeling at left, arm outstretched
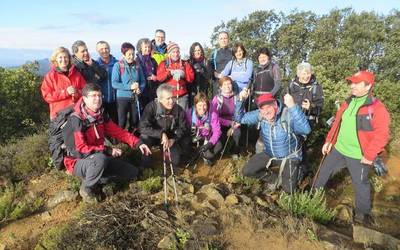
88,157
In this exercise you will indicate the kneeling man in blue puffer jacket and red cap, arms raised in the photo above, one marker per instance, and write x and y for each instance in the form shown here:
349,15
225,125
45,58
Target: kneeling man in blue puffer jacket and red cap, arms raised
280,128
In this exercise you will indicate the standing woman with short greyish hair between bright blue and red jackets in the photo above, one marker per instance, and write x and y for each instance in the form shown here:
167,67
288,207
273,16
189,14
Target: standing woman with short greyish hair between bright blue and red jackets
149,67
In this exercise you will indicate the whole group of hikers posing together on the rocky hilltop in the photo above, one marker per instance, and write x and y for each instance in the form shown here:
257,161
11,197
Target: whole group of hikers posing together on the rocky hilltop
154,97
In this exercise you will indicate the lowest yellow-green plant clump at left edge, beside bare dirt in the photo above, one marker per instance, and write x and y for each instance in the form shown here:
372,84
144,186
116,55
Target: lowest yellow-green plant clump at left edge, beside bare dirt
14,205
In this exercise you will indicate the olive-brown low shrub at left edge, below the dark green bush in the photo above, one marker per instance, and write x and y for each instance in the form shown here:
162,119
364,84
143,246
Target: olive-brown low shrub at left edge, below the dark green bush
24,158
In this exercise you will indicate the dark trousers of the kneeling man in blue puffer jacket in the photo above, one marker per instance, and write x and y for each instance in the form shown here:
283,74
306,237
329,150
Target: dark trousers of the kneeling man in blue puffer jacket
256,167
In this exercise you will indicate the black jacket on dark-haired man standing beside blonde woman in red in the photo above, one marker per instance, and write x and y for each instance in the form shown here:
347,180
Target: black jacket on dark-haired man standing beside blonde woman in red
92,73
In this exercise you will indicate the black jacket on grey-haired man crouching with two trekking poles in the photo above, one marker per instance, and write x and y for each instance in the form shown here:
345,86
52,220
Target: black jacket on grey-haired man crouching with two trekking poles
156,121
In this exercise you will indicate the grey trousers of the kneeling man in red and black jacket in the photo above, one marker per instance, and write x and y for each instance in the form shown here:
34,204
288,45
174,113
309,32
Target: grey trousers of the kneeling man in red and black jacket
100,166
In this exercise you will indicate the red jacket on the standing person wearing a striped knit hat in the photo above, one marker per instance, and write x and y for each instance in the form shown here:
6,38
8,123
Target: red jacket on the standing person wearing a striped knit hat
164,75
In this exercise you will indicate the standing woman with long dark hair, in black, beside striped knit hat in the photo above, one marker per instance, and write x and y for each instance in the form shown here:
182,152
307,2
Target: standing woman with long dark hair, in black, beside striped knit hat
202,72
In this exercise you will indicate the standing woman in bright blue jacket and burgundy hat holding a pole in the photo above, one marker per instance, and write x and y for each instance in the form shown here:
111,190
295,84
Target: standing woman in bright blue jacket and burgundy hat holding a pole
128,80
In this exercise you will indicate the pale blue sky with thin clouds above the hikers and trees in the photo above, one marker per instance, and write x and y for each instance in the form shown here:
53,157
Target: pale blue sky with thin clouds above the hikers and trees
41,26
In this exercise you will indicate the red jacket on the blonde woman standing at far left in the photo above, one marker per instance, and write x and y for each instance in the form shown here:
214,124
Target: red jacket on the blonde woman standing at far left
54,89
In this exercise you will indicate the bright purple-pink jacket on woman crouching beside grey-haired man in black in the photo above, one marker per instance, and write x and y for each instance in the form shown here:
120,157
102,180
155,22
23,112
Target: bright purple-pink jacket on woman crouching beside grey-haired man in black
212,131
